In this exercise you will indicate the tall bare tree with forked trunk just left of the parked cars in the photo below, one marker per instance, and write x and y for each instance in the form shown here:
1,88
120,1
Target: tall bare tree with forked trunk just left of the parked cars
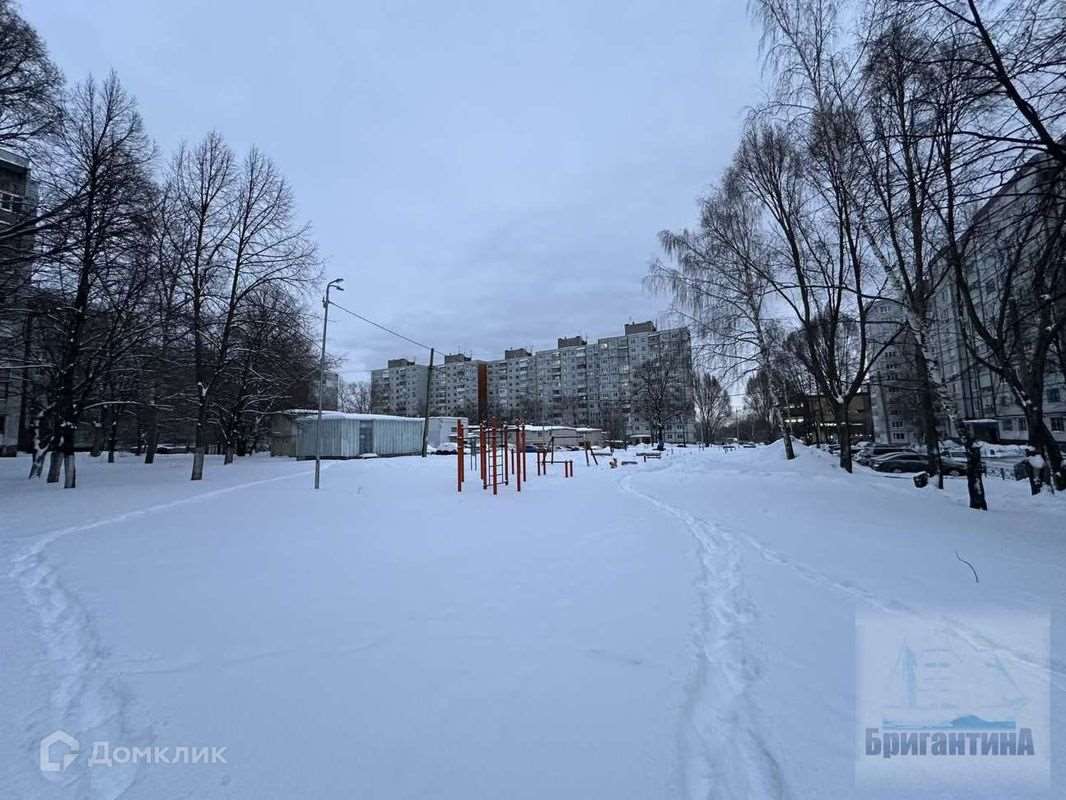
806,167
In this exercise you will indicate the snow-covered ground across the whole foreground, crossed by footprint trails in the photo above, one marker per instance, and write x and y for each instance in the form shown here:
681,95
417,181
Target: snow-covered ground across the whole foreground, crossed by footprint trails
683,629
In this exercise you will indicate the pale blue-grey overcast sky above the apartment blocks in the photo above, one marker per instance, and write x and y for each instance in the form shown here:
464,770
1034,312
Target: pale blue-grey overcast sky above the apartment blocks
483,175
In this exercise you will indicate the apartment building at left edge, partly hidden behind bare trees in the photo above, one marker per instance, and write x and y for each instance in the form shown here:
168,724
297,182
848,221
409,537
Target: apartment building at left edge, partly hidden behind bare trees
18,194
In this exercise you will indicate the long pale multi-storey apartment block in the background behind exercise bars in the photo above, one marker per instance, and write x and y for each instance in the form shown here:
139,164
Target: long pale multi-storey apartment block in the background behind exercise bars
577,383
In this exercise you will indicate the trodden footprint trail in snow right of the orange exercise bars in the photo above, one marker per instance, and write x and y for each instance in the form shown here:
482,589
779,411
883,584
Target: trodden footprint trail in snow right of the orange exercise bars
723,753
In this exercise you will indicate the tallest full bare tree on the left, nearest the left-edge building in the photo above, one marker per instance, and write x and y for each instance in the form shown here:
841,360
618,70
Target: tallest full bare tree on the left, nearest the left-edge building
100,271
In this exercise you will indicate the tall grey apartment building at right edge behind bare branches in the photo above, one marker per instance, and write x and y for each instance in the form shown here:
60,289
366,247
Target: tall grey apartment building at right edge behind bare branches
979,396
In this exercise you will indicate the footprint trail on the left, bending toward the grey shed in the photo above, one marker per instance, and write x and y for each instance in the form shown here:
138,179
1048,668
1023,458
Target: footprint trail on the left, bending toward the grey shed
86,697
